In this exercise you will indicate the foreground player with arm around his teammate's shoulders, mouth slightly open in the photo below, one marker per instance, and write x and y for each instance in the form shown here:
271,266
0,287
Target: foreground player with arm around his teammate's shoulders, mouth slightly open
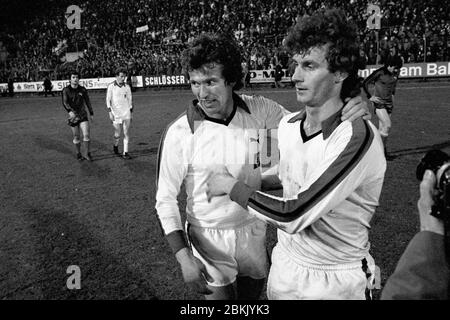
226,256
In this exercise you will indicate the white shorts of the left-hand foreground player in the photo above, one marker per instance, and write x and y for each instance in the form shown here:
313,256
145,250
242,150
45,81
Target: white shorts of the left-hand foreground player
228,253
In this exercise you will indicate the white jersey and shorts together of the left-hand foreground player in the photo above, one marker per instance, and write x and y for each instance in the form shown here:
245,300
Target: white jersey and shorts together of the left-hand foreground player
192,148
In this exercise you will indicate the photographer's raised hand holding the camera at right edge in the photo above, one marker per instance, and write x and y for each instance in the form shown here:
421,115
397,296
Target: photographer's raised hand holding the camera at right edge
427,190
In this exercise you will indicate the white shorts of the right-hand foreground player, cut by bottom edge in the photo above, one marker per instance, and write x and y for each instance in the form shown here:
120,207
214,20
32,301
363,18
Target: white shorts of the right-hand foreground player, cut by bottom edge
290,279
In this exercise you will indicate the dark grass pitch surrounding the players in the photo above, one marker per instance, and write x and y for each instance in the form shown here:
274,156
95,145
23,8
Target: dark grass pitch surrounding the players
56,212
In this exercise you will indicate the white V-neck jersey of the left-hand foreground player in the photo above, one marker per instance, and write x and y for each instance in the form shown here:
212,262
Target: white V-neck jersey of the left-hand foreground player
195,146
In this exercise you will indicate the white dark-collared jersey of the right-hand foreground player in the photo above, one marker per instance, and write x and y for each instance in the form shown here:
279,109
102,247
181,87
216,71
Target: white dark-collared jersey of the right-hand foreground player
331,181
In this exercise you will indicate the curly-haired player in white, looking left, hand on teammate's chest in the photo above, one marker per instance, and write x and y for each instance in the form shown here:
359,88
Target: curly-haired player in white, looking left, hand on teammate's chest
332,172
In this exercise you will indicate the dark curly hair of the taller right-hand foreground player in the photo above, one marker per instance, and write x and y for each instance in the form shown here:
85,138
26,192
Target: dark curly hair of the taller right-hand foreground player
330,26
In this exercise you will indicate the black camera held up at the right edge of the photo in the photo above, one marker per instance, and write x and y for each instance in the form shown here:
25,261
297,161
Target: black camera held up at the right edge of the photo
439,162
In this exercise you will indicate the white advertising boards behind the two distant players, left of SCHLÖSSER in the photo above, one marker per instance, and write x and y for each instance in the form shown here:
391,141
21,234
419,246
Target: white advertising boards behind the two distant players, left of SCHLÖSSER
58,85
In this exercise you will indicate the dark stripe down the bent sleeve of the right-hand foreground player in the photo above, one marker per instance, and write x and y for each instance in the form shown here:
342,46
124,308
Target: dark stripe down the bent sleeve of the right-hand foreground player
289,210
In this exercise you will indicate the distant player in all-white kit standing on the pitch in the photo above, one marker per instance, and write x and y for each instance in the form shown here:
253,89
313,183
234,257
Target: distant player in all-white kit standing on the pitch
120,106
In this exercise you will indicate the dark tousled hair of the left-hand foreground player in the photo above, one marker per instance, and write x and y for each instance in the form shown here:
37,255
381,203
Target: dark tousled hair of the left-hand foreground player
209,49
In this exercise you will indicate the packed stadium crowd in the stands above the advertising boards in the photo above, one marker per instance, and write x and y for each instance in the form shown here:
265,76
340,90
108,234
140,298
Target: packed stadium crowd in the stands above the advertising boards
108,38
